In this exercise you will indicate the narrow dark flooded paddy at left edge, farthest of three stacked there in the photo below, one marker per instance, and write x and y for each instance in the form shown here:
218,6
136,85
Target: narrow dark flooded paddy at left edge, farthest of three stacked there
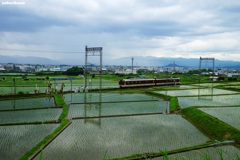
27,103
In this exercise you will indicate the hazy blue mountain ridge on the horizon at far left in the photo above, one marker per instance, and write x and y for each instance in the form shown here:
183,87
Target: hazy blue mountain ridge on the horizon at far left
26,60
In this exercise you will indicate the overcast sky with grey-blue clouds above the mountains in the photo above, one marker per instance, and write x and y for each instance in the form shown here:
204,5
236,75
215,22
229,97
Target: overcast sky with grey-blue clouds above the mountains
160,28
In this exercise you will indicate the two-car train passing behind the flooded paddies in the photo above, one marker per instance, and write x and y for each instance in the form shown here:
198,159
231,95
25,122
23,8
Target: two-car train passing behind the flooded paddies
124,83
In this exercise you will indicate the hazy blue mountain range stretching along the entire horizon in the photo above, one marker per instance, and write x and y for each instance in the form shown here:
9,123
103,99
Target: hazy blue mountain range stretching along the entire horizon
125,61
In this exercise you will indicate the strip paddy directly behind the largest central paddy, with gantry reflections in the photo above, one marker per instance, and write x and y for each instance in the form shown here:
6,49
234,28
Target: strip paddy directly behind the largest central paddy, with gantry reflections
106,109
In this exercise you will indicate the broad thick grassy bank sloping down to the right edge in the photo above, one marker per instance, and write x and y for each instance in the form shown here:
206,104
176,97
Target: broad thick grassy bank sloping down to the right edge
211,126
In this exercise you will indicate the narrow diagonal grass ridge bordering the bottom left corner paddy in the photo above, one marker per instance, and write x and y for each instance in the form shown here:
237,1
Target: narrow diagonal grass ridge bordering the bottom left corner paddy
45,141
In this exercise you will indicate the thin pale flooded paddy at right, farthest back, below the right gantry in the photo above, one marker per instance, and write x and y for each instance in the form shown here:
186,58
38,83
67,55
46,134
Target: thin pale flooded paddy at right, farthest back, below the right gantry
196,92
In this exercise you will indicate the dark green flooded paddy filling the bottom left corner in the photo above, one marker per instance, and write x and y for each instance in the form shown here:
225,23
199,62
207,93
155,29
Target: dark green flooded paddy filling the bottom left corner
16,140
